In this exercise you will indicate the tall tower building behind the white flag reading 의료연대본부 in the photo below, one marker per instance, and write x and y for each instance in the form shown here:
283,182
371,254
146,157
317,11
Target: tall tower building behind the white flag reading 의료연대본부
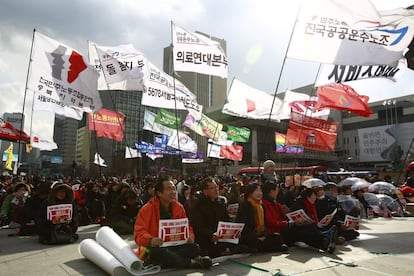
211,91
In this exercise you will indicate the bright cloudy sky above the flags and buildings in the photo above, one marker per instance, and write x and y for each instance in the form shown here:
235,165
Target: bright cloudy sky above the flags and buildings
257,34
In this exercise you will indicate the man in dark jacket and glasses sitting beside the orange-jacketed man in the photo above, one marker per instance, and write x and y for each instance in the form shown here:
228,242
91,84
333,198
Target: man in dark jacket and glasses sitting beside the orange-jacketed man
205,215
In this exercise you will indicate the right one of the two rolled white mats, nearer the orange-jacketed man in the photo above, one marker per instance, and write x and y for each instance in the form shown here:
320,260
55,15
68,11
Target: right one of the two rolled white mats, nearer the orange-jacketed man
115,245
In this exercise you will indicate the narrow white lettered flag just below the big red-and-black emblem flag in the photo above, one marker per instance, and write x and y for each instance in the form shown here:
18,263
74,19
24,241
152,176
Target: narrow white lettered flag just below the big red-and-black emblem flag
47,103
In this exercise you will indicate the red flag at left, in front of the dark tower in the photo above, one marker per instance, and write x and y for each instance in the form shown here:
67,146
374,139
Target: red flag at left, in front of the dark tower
108,124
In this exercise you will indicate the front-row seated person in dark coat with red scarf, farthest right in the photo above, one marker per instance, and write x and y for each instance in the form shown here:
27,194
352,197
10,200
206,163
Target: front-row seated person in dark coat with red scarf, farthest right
309,233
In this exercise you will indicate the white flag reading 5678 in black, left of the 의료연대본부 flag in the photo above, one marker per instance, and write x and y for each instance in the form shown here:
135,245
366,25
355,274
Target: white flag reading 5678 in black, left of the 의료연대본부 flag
159,91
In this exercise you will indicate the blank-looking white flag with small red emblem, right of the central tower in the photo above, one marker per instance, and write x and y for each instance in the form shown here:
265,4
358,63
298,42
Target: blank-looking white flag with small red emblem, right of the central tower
248,102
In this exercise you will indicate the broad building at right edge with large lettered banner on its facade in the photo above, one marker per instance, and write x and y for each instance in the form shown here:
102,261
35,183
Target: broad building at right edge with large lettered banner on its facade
384,141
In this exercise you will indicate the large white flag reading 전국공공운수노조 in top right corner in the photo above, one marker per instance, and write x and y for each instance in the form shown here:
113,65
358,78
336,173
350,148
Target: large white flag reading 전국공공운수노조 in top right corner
350,32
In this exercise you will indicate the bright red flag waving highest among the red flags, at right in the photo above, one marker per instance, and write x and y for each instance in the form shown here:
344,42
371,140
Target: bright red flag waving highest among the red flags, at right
342,97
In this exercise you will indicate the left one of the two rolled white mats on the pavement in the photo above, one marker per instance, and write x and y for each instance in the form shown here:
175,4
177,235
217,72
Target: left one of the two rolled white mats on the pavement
102,258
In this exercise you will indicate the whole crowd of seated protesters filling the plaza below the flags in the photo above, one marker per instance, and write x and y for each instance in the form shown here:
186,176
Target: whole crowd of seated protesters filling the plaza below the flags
53,208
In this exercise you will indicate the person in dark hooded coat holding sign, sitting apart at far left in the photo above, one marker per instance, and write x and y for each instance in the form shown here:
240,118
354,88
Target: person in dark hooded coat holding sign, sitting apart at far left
57,219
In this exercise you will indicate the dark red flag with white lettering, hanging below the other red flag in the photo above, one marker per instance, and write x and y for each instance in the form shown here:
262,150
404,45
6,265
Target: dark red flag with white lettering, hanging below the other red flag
311,133
